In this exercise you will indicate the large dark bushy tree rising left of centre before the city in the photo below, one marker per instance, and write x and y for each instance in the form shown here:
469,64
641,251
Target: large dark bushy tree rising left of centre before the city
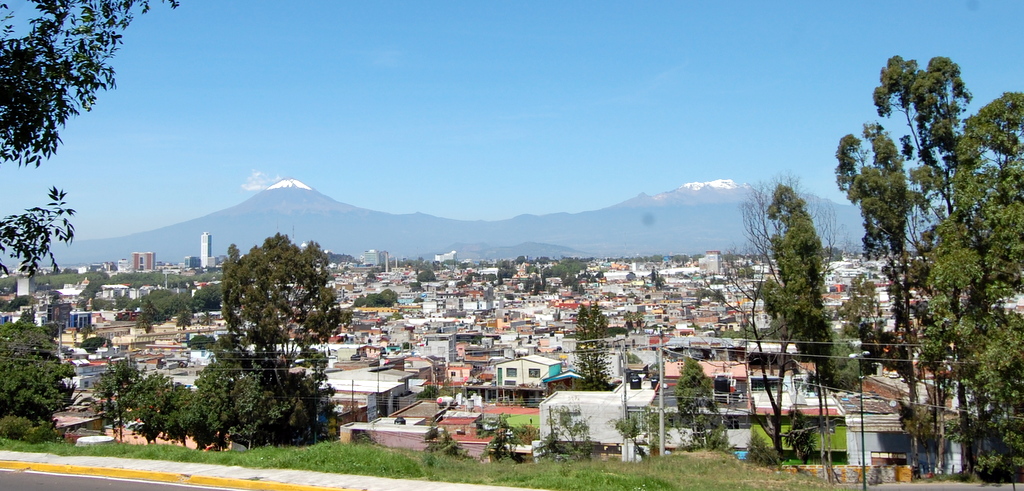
278,306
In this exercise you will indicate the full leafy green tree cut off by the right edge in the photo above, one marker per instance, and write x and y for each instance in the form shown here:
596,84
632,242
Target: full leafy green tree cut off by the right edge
979,256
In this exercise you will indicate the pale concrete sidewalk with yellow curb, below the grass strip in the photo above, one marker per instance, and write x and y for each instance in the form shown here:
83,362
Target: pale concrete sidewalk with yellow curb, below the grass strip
223,476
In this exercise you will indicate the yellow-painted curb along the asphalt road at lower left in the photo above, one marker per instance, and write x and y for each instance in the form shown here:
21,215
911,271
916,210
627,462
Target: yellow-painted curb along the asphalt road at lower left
163,477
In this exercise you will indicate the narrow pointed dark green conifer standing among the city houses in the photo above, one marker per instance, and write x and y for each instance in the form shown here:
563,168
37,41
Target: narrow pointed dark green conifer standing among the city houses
592,355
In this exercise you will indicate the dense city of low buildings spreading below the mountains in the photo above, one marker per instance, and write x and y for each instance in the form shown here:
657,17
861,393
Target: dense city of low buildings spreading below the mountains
501,336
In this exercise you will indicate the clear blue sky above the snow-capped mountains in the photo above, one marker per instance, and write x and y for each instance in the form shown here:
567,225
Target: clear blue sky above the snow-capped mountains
491,110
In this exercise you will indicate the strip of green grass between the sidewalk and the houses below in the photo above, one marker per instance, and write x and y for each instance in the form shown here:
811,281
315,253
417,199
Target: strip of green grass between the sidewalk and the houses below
679,472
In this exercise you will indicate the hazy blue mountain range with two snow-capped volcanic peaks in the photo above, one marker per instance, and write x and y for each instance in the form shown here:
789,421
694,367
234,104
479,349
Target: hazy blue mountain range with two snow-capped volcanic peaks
695,218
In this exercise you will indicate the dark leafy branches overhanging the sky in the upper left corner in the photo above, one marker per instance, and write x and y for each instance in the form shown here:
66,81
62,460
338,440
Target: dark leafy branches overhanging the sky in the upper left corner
52,73
